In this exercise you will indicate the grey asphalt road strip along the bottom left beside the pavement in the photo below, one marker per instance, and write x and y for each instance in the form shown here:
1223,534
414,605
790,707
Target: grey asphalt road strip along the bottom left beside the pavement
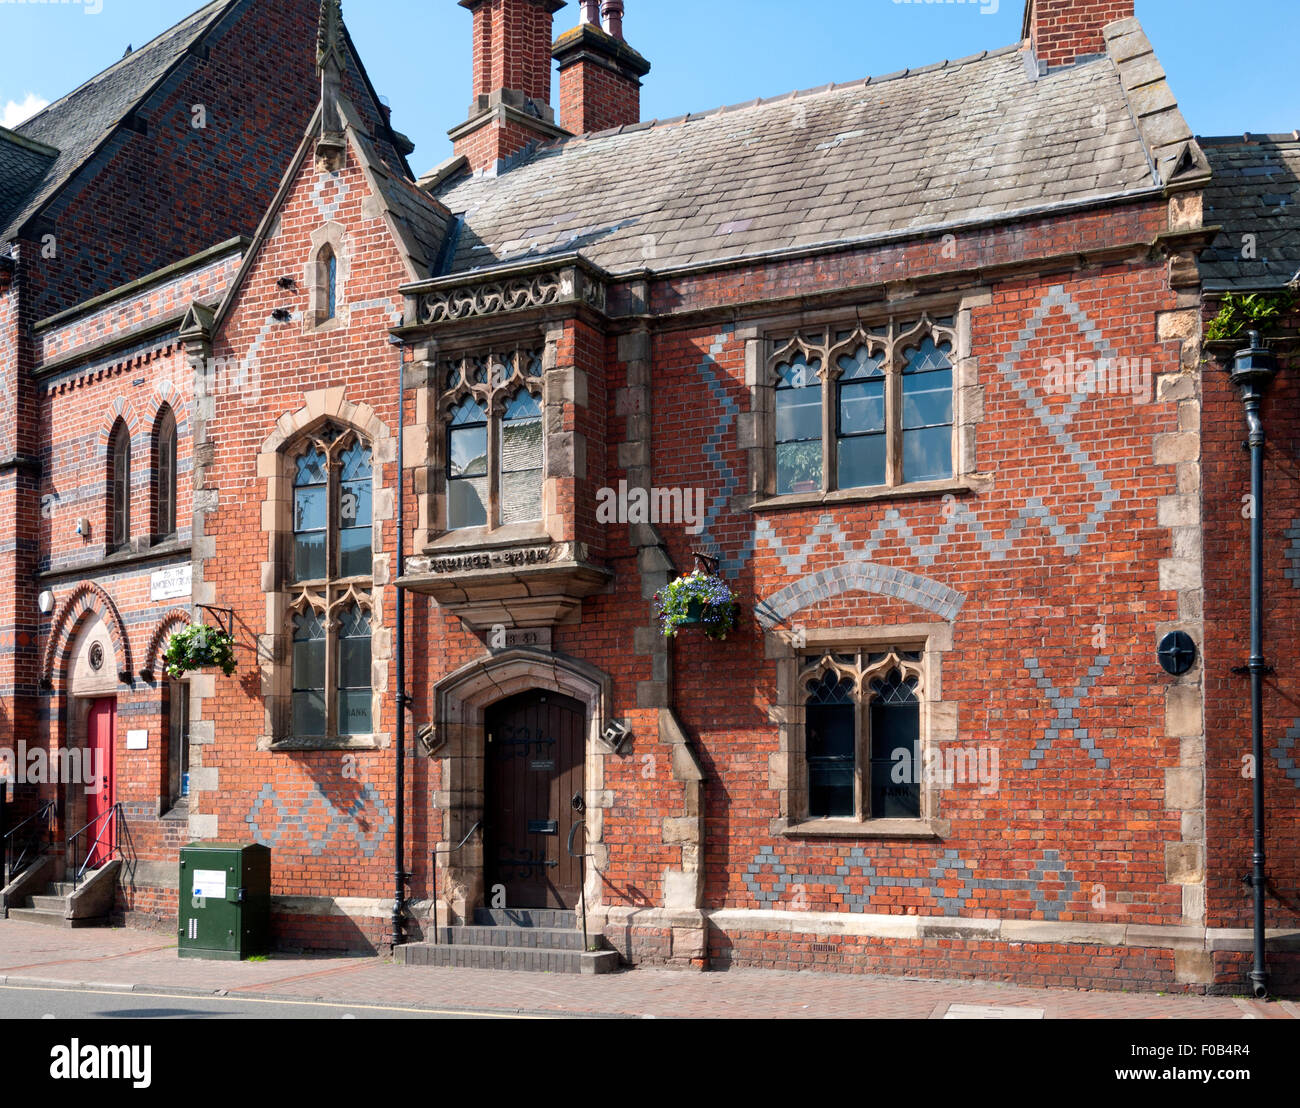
36,1003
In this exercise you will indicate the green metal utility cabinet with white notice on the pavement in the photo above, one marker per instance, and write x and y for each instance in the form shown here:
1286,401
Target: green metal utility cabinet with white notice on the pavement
226,902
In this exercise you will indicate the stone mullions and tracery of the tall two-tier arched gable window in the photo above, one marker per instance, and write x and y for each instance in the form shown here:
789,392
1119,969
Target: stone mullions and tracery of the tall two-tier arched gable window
335,594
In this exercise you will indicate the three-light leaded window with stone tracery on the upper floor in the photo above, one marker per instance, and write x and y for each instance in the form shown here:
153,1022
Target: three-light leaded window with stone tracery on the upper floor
864,409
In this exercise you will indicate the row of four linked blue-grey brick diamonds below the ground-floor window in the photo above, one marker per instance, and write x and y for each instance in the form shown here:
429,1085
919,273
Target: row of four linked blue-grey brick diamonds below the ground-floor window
859,894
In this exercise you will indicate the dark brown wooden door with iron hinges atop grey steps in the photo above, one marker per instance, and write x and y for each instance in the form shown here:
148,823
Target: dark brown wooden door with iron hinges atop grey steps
534,771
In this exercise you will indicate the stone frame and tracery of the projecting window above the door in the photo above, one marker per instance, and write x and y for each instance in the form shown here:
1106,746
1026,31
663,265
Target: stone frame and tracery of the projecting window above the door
492,379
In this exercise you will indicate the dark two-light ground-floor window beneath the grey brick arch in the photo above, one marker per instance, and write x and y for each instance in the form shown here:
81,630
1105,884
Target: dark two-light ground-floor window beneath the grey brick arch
863,735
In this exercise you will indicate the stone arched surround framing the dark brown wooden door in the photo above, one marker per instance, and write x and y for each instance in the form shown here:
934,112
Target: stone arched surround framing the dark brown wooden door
460,741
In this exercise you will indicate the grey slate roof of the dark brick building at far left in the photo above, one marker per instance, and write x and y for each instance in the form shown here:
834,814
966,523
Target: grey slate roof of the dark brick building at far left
79,123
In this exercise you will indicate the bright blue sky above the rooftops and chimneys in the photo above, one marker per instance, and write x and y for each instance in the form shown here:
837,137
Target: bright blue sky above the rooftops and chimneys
1228,63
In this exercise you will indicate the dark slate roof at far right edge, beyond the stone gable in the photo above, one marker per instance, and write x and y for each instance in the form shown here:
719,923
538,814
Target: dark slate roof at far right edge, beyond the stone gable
1255,192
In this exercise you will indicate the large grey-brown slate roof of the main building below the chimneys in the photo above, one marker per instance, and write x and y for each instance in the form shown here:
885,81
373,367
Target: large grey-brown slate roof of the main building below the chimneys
922,150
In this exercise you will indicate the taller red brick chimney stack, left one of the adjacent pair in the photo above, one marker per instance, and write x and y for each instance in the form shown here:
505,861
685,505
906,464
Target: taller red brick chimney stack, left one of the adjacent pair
513,81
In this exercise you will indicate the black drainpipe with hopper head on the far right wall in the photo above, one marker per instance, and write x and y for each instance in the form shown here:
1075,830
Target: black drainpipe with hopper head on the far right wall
1254,370
